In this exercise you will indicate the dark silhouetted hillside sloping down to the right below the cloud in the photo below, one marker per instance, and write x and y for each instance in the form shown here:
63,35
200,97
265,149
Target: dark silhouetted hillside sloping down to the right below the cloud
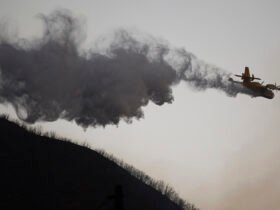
39,172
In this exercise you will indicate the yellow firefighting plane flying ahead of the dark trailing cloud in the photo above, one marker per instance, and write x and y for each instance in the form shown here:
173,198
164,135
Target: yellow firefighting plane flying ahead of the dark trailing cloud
257,89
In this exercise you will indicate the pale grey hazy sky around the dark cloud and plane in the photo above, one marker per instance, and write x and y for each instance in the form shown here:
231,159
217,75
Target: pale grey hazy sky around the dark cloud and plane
217,151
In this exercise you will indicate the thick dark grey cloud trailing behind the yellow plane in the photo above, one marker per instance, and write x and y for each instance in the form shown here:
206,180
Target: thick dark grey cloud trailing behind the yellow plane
52,77
